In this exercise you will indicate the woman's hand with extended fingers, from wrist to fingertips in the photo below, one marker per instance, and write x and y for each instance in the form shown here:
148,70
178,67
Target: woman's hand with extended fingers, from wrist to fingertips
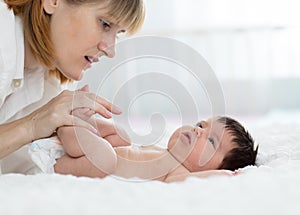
58,112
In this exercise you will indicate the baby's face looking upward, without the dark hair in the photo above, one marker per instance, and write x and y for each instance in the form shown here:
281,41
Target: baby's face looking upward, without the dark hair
201,146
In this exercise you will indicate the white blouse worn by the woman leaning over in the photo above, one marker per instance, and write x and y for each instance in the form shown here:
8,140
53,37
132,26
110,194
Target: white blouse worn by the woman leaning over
21,90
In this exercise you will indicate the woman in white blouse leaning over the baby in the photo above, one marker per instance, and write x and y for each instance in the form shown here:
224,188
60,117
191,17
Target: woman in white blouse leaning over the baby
44,45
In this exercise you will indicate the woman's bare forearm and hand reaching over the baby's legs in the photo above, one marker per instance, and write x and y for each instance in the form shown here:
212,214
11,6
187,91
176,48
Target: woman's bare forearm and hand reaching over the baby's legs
45,120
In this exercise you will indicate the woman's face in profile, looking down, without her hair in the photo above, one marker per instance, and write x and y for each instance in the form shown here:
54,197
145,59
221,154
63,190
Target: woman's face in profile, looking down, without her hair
80,35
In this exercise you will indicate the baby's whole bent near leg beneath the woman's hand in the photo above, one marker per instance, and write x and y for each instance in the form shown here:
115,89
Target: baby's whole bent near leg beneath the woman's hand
87,153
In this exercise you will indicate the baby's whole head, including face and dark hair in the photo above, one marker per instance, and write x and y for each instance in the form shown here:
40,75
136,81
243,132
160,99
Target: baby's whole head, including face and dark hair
218,143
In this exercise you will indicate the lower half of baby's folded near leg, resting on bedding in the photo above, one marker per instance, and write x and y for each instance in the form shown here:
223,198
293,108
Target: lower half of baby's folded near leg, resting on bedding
77,166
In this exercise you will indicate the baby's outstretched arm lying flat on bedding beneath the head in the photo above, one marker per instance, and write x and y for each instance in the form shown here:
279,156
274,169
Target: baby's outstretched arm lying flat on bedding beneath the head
201,174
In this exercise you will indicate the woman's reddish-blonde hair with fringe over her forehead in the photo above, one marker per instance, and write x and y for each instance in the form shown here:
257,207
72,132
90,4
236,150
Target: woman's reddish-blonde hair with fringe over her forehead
36,22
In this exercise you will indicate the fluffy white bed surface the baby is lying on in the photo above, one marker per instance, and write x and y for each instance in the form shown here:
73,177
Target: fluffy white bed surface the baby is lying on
272,188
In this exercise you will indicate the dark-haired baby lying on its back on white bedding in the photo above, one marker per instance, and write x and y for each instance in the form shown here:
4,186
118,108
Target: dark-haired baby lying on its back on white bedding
210,147
